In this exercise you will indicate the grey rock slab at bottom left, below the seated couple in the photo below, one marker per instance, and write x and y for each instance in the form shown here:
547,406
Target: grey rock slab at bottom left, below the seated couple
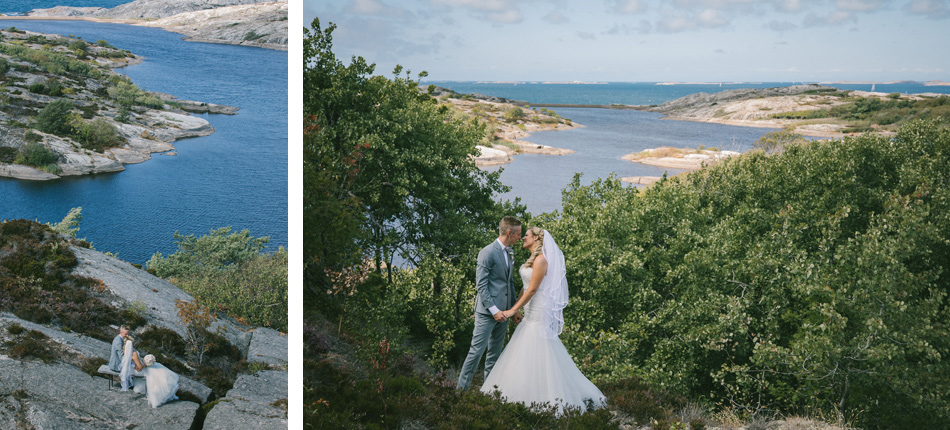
59,396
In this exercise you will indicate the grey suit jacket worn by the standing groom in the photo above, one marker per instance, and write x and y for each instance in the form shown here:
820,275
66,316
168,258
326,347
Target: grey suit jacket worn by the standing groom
493,280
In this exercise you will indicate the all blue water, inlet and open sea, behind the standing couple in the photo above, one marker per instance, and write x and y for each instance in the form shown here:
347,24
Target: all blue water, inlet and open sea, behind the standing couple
610,134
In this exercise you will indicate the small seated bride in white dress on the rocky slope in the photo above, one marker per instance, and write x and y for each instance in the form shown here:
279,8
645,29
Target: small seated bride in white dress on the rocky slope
160,385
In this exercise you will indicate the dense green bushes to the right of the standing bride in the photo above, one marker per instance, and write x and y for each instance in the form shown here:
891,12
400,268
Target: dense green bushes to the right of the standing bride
796,281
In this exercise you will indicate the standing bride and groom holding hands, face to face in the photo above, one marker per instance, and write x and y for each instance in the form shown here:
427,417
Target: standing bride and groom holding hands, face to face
535,366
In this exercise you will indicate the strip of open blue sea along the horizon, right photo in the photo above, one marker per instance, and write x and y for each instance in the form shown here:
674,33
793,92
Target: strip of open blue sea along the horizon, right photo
642,93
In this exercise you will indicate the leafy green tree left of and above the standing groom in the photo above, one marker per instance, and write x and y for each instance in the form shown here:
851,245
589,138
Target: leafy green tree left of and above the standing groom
387,171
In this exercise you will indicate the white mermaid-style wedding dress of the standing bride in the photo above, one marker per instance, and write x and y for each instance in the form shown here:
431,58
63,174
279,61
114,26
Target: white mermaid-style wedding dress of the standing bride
535,366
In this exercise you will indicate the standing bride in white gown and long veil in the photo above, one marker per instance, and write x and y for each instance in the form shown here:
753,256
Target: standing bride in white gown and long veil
535,367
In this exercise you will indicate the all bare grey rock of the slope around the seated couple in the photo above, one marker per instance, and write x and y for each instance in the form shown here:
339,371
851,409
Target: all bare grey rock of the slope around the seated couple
59,395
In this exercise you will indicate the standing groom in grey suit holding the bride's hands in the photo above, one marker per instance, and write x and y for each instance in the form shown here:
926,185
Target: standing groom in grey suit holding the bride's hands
496,293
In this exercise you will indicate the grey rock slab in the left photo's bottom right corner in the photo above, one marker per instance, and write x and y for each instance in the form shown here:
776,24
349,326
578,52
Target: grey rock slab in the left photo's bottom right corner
249,405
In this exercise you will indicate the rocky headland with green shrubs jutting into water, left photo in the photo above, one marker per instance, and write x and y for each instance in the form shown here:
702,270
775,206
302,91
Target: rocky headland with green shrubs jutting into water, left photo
63,111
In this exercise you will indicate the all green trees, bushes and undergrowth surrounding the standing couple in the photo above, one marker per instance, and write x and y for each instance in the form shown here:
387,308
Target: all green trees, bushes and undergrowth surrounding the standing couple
805,280
